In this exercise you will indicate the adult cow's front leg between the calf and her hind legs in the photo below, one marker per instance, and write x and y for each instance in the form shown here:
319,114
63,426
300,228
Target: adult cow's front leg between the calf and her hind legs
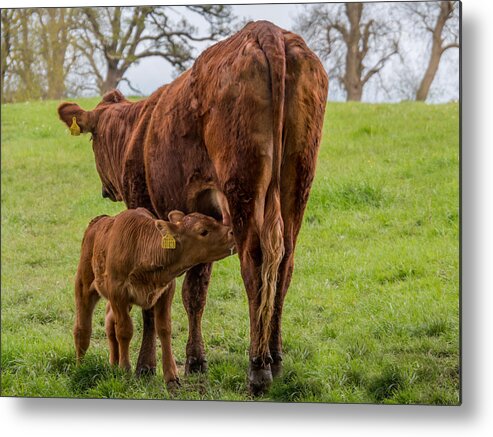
194,295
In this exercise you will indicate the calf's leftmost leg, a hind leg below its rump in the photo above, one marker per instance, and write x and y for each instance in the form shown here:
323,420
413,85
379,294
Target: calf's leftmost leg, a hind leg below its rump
86,298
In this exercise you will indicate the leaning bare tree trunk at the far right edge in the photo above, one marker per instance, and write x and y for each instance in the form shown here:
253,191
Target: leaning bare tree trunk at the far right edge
441,21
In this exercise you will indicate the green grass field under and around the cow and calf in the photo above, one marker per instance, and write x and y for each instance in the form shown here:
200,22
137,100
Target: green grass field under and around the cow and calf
372,315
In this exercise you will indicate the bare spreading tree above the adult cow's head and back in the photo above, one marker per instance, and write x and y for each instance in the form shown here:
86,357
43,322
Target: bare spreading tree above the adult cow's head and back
114,38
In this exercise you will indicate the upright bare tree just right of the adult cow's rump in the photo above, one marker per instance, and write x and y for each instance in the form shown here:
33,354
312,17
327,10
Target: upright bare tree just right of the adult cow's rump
353,38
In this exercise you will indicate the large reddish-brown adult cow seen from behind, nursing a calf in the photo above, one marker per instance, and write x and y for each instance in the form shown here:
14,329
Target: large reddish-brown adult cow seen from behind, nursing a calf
235,137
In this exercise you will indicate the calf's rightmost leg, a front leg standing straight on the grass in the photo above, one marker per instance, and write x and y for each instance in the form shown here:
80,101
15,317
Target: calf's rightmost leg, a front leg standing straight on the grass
162,315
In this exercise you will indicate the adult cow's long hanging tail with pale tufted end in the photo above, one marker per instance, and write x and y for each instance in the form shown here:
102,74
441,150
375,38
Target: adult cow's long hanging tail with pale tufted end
271,42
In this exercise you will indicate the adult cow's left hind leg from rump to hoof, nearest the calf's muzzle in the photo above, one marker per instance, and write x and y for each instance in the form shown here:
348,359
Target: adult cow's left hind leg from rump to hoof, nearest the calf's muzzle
240,139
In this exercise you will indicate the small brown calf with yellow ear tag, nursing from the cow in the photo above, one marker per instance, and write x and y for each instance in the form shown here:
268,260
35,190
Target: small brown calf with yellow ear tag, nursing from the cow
123,260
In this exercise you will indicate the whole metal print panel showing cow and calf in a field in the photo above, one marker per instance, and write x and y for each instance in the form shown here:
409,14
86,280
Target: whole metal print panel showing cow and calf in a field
291,170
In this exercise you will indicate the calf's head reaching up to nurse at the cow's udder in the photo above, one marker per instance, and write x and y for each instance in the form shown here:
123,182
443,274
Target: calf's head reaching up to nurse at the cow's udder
201,239
